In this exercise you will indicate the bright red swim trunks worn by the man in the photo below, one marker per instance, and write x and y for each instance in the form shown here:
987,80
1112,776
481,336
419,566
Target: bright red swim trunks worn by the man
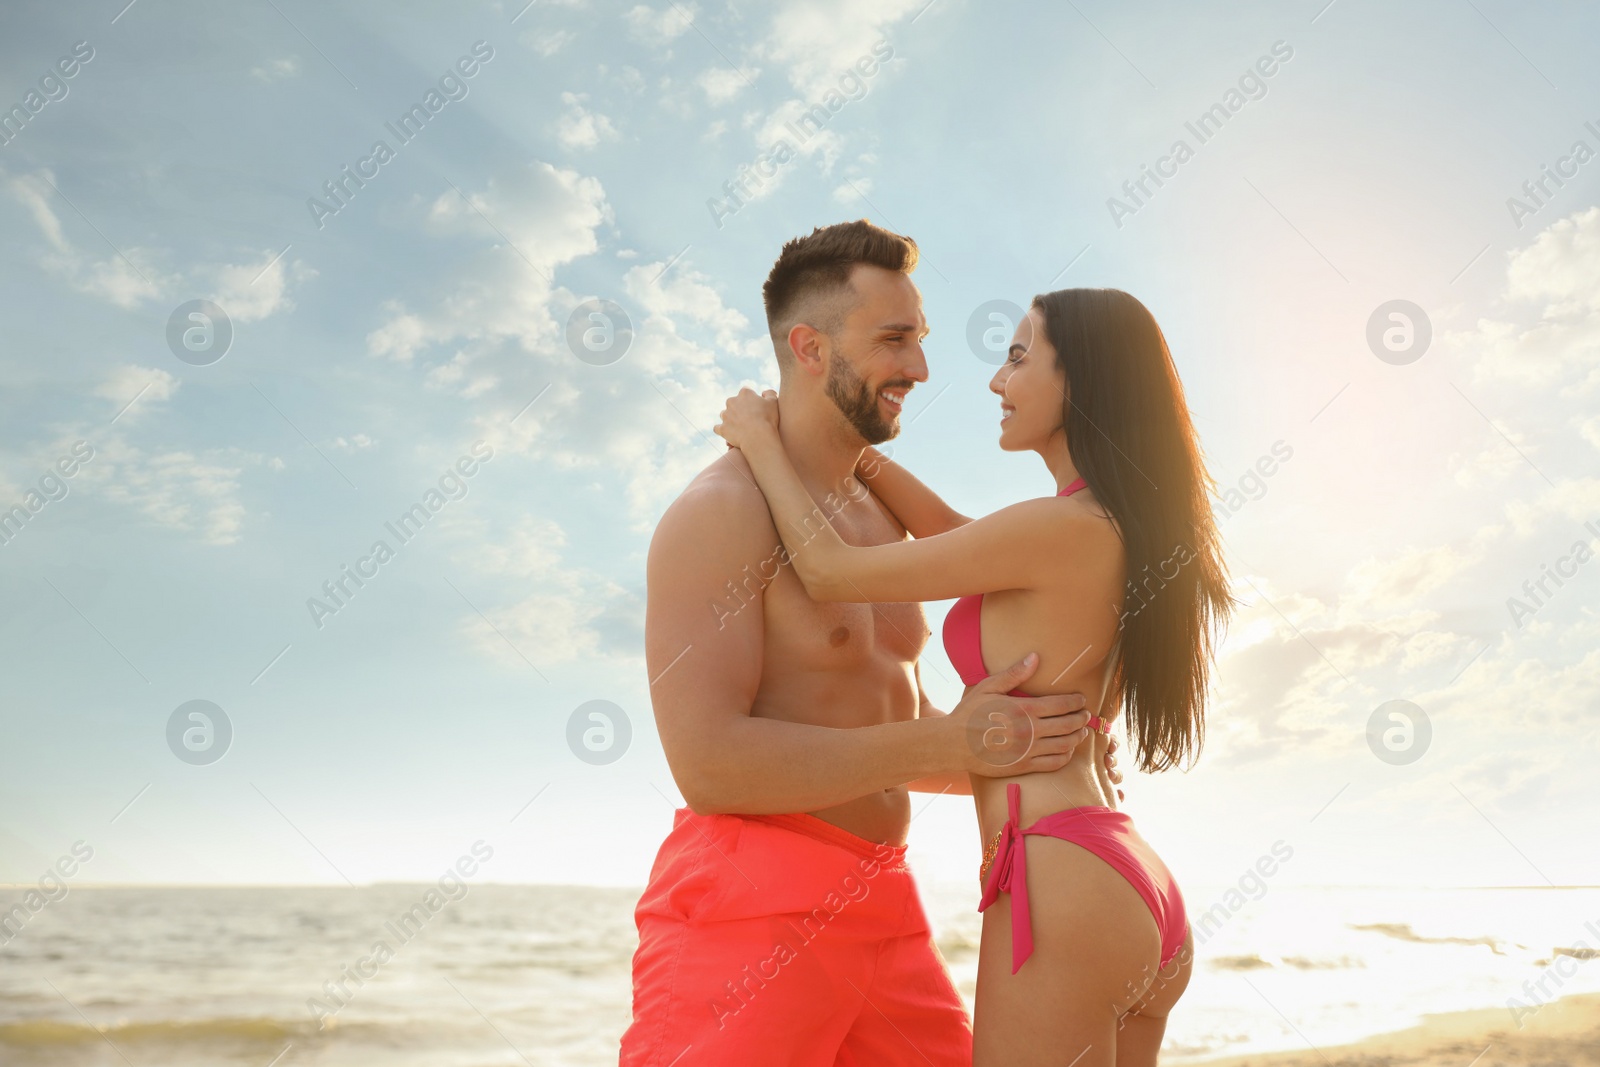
786,941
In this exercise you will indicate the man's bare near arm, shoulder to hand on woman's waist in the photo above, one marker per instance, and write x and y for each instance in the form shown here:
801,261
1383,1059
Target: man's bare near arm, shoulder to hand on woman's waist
703,649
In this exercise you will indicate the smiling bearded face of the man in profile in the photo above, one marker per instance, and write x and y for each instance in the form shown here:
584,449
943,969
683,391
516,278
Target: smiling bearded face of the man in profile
878,353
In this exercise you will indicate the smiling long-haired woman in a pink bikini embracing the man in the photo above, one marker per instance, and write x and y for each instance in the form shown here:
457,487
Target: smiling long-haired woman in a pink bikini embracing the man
1118,583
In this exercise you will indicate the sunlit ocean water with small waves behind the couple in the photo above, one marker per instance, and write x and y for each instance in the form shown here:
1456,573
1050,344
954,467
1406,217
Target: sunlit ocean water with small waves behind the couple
540,975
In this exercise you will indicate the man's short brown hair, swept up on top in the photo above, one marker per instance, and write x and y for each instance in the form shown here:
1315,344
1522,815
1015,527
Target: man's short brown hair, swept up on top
810,282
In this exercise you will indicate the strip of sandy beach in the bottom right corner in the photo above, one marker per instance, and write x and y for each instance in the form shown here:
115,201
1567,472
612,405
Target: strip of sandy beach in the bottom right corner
1562,1034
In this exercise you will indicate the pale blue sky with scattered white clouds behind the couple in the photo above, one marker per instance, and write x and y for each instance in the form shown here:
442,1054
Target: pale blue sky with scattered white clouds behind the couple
1386,326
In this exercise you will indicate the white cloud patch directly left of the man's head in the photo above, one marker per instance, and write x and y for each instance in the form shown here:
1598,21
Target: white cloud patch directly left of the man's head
498,335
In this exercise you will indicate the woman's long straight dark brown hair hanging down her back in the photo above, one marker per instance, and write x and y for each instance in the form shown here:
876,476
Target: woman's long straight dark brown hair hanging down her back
1134,444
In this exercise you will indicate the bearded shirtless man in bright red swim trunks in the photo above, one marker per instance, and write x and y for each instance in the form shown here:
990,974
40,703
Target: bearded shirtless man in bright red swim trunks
782,924
